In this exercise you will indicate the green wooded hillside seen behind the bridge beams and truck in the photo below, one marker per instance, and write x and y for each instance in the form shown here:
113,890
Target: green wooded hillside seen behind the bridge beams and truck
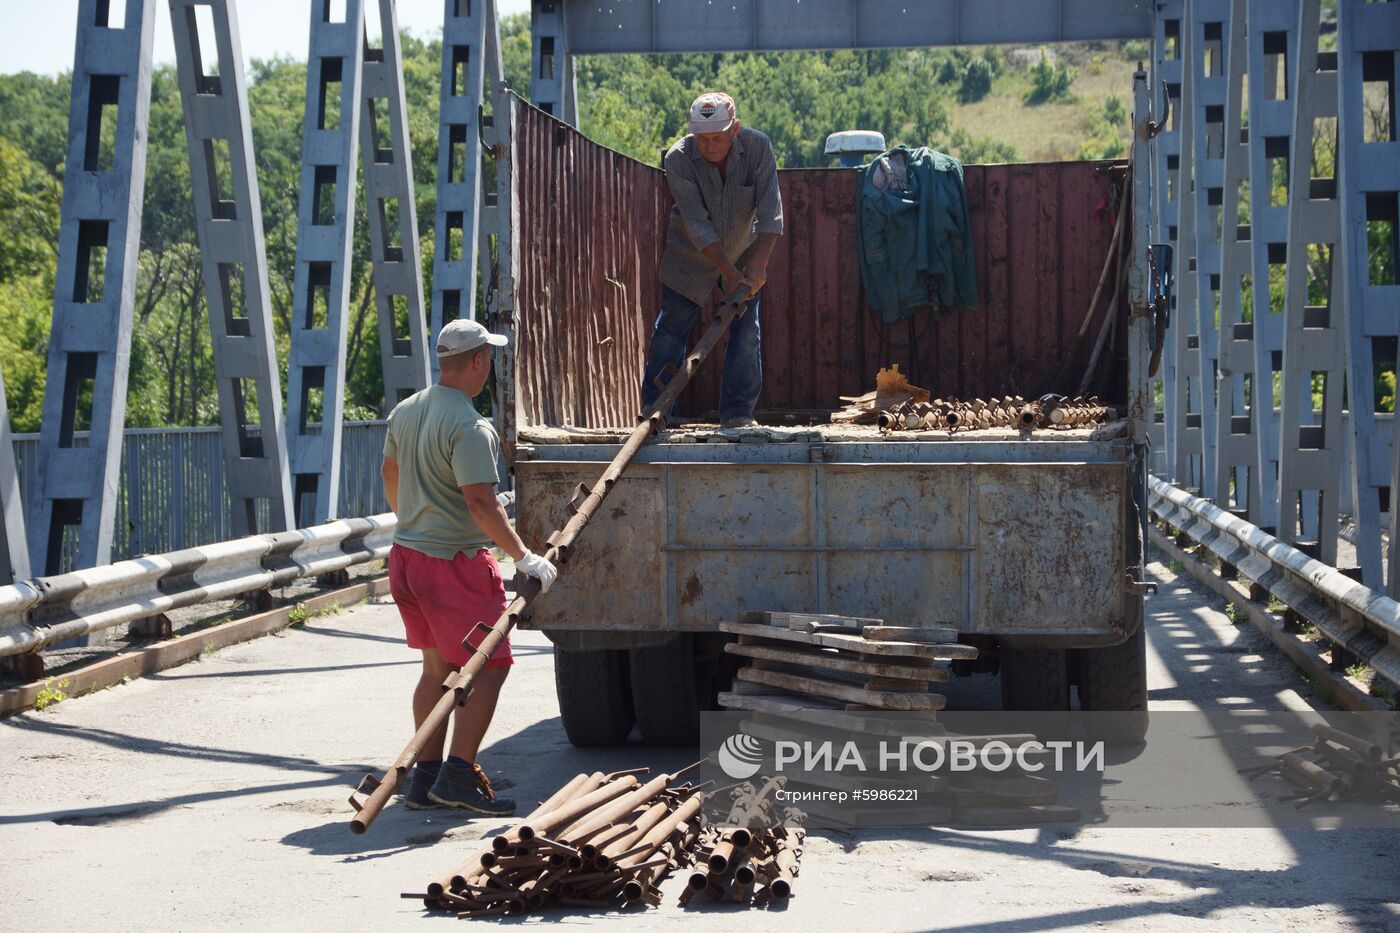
635,104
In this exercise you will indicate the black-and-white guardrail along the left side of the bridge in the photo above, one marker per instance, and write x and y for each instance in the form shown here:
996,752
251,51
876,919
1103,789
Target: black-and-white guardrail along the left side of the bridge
44,611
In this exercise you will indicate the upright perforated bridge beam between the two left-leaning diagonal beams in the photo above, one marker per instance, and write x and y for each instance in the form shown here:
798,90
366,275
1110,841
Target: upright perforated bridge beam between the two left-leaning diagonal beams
325,228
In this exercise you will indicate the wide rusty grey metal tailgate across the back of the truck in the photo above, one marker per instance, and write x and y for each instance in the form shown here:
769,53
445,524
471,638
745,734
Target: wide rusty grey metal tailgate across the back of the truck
993,548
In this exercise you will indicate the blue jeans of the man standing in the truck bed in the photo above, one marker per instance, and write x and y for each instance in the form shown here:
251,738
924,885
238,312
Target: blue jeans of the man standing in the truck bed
743,359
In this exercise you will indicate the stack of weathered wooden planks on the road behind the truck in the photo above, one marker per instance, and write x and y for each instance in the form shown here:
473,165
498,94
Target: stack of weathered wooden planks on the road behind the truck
808,675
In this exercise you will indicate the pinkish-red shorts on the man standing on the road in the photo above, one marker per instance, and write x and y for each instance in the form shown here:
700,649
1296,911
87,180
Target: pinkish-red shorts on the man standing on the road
442,602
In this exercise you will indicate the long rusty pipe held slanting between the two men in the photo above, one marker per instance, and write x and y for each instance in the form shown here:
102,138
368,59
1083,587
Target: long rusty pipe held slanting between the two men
527,589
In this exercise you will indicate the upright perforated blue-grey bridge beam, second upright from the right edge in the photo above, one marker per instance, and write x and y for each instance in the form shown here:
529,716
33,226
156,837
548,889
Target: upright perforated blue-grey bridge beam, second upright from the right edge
1273,64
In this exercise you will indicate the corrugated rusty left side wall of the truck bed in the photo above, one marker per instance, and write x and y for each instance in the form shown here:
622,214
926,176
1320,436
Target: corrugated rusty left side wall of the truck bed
589,240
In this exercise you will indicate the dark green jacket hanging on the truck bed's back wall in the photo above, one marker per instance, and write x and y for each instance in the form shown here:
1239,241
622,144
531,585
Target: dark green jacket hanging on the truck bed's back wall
915,233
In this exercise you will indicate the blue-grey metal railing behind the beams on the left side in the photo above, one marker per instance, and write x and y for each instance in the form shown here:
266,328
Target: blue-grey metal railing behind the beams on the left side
174,495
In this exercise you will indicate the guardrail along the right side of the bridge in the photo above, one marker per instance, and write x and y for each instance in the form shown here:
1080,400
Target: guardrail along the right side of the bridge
1359,620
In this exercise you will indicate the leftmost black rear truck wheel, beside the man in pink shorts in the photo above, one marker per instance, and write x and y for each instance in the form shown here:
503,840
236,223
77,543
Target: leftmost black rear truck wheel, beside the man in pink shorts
594,697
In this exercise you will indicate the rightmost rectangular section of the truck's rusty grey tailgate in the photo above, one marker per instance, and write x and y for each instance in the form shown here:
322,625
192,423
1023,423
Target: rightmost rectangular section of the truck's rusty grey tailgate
1051,548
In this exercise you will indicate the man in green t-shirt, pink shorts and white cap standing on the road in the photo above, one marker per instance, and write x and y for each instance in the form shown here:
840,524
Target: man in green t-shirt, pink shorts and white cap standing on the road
440,478
